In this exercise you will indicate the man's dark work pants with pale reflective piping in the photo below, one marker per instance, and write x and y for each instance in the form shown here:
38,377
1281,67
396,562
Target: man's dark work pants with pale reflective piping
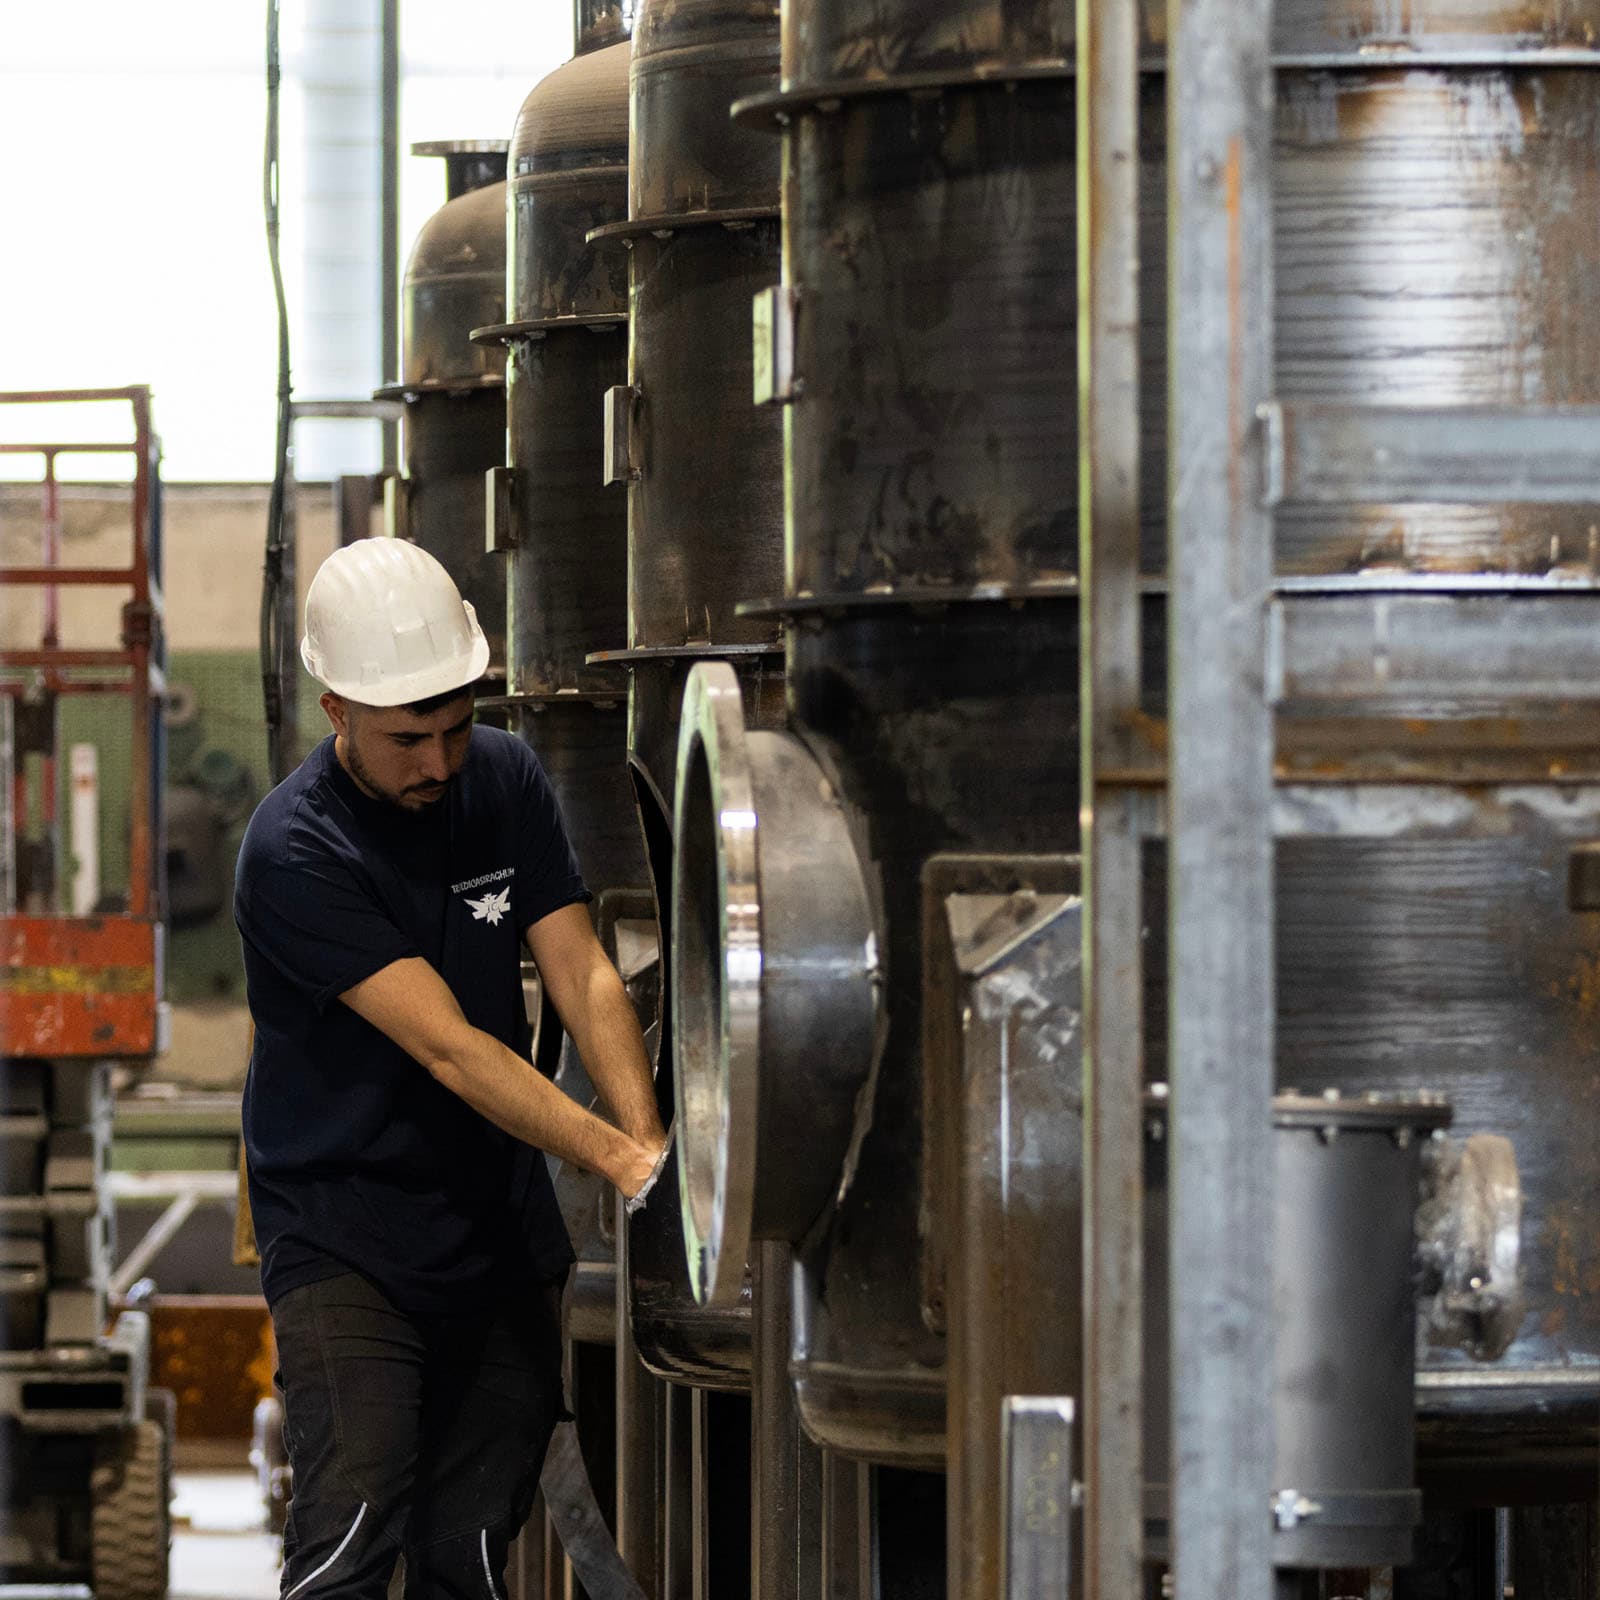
412,1434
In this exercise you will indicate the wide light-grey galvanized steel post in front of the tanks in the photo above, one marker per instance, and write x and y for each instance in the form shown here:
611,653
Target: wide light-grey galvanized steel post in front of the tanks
1222,978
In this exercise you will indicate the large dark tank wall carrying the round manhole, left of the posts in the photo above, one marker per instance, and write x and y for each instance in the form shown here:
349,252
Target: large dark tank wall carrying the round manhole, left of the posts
932,537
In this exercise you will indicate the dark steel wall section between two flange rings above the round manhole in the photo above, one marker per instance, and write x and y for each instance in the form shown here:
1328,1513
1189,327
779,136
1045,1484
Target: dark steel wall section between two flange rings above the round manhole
935,343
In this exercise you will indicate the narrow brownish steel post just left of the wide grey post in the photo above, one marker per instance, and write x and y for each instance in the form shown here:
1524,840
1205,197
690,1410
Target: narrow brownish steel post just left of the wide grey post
1108,34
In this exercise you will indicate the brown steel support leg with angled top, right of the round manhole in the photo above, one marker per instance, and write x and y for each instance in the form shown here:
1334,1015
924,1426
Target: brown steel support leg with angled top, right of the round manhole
1006,1041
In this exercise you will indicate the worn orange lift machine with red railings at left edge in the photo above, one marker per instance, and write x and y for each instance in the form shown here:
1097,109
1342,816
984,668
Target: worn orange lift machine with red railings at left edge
86,1447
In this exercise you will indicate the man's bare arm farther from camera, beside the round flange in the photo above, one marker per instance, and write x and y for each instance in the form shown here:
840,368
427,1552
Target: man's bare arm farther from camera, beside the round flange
590,998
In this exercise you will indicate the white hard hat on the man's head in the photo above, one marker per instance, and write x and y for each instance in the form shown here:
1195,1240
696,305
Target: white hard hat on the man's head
386,626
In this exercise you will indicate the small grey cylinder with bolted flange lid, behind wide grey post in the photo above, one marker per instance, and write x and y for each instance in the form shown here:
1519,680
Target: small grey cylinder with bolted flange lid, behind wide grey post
1346,1188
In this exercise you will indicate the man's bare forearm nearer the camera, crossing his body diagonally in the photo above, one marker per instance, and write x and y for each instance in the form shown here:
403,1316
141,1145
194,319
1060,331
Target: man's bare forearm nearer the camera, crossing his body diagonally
414,1006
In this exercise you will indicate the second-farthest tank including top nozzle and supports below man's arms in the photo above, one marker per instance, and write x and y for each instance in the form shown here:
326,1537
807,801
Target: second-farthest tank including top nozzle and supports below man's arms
562,542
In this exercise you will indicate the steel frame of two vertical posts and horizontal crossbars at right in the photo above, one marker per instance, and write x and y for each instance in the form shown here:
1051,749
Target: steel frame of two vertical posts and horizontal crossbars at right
1225,778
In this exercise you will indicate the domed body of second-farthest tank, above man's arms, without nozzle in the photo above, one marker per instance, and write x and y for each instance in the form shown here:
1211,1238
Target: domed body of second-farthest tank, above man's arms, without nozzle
564,537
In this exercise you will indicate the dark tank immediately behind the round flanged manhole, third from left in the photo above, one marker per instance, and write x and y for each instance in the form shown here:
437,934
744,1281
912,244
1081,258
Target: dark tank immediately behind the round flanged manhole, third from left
705,511
